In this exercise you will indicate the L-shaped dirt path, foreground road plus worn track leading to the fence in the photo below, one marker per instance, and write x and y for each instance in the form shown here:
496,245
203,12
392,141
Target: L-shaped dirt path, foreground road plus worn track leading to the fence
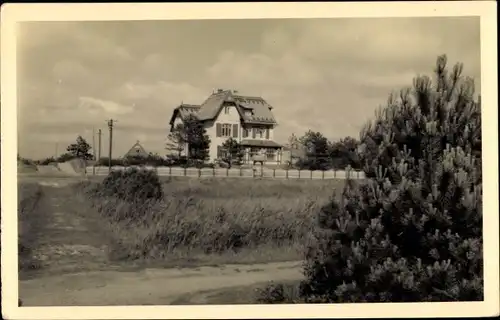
71,246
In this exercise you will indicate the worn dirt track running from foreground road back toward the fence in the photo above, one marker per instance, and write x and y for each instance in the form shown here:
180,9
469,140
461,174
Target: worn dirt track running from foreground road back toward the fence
67,237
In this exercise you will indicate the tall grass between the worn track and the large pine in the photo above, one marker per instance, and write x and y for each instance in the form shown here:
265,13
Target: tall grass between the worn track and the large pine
213,216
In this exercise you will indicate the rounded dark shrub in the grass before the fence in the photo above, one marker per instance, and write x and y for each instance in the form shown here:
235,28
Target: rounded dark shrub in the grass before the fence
132,185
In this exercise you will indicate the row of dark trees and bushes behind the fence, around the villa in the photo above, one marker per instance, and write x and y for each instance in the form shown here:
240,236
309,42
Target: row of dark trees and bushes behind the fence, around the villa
311,151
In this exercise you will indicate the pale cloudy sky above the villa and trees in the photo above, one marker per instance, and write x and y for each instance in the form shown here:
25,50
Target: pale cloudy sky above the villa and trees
328,75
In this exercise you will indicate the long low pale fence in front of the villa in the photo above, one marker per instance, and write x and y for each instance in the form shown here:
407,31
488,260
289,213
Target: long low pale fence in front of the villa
241,173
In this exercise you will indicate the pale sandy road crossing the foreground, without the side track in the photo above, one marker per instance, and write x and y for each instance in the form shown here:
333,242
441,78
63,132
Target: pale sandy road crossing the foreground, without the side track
149,286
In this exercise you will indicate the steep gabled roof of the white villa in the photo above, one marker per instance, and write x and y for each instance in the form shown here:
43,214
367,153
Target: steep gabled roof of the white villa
259,110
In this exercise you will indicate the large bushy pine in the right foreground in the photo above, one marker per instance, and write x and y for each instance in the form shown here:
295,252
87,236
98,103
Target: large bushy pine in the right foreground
413,231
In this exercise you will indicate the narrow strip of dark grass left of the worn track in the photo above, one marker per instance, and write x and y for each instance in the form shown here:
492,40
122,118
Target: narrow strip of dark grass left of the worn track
29,195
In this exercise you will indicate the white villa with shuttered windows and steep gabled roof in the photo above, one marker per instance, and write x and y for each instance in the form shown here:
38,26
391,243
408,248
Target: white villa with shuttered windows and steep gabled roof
225,114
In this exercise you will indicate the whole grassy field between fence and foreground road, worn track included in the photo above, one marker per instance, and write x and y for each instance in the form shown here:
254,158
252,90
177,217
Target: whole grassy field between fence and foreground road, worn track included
198,222
